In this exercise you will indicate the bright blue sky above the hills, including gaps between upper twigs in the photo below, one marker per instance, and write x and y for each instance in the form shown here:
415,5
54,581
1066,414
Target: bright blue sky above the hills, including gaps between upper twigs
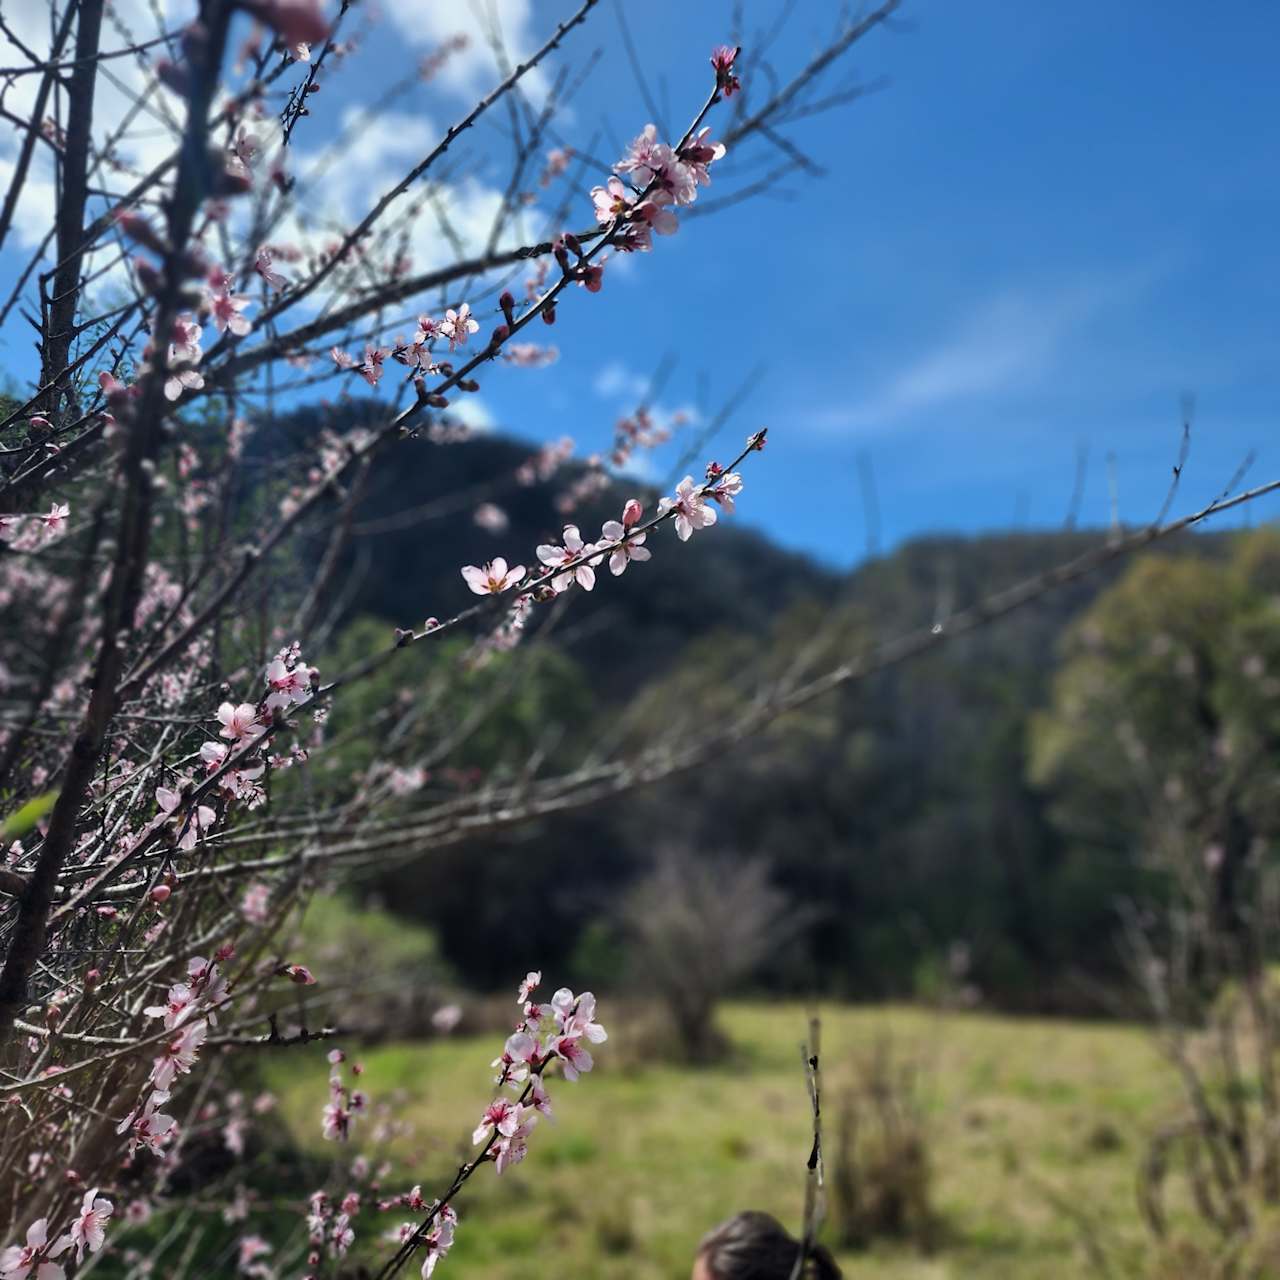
1046,226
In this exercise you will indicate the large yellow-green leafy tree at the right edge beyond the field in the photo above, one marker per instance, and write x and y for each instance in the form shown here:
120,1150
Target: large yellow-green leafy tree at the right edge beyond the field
1164,728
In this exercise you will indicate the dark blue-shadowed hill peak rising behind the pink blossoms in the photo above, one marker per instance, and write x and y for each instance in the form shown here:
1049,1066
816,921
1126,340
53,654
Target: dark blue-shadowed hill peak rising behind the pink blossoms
417,528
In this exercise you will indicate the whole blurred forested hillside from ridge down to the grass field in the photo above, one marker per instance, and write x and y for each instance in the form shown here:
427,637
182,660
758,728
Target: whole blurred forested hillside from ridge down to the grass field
900,813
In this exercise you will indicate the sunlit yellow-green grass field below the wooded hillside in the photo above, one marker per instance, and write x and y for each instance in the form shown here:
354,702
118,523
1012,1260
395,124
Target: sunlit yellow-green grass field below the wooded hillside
1035,1133
